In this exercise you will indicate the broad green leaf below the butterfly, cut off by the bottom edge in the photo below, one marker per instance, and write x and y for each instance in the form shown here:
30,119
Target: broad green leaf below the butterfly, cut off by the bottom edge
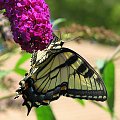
44,113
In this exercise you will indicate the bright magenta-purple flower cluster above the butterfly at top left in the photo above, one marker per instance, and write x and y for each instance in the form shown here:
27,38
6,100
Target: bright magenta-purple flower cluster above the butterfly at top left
30,23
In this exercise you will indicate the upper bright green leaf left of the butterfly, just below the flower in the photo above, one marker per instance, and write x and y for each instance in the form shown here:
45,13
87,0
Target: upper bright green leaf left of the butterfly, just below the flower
23,59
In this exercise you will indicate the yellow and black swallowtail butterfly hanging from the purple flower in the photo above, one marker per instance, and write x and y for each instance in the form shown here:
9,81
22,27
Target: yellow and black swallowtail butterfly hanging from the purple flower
58,71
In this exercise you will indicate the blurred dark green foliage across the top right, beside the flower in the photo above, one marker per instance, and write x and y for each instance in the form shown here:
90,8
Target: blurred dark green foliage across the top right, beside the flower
87,12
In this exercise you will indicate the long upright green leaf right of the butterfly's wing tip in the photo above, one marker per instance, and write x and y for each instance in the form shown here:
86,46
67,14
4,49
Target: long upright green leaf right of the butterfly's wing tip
109,79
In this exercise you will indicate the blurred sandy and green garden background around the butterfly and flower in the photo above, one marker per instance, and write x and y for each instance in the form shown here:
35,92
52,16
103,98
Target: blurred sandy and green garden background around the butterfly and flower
93,29
